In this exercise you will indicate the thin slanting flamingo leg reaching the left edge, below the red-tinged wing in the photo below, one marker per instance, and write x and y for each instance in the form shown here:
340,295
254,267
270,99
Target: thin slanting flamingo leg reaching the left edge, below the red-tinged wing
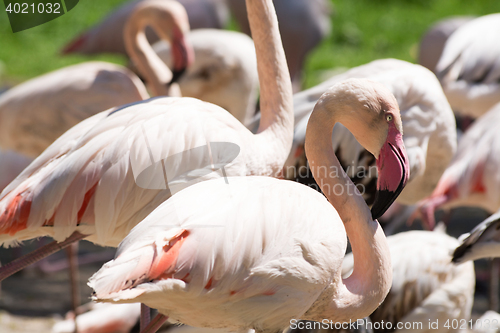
43,252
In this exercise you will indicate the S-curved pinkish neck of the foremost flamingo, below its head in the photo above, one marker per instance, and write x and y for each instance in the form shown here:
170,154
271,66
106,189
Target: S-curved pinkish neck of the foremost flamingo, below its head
366,288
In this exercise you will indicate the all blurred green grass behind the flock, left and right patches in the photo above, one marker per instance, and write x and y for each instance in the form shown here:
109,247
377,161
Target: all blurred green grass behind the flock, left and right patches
363,30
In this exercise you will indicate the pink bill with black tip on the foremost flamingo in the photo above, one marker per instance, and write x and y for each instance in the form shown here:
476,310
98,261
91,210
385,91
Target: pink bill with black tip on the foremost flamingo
393,173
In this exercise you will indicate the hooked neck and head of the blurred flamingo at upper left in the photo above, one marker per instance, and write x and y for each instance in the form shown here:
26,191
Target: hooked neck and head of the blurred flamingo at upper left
152,68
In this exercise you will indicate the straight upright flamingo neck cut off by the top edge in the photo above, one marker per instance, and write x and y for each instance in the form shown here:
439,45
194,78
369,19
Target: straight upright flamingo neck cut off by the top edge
276,124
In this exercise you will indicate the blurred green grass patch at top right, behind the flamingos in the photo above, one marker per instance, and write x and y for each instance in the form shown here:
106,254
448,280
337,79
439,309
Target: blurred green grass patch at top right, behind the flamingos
365,30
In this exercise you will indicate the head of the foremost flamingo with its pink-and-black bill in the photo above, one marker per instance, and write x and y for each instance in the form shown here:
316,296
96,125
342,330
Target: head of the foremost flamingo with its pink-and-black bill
372,114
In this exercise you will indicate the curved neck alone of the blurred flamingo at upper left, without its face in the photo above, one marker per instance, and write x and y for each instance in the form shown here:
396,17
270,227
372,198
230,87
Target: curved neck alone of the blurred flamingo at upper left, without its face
151,67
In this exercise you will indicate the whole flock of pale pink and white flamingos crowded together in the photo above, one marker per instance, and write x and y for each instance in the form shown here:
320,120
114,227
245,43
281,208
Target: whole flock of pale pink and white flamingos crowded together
213,206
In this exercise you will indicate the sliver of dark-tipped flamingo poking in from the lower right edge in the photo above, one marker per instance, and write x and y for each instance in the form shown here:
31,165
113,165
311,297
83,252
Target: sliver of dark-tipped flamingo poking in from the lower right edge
481,242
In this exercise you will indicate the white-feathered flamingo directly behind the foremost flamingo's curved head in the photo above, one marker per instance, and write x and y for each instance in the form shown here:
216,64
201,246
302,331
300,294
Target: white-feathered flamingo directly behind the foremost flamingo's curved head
428,122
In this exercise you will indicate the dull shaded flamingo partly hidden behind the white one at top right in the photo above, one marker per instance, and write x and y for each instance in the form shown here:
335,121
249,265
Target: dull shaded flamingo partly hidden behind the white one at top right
432,44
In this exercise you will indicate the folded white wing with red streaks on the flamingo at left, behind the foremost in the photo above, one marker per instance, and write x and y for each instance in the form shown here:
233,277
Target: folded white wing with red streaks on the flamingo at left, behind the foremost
68,185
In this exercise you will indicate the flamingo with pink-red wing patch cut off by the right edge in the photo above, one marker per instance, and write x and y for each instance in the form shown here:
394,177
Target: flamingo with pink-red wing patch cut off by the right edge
472,178
